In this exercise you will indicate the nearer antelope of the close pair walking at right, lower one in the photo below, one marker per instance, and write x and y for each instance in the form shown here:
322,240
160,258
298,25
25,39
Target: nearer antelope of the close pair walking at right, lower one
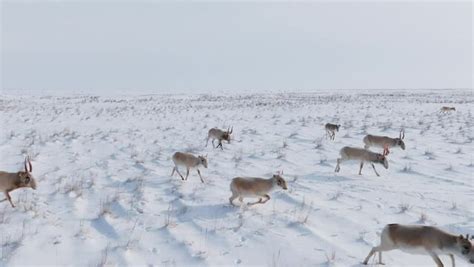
362,155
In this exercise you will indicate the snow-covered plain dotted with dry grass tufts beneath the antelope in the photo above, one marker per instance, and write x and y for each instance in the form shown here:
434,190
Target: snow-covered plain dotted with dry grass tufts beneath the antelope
105,195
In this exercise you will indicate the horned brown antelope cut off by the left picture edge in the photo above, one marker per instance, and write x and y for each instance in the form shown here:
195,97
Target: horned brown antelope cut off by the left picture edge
12,181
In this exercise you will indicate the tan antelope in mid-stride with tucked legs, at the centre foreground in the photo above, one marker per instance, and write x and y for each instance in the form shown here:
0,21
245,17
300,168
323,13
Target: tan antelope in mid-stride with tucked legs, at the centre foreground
255,187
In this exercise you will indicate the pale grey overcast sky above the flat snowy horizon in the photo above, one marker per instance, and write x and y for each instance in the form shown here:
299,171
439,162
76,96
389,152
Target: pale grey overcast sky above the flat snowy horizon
204,46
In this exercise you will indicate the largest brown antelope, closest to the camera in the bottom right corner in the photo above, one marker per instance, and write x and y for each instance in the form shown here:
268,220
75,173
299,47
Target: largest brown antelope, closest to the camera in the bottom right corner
419,239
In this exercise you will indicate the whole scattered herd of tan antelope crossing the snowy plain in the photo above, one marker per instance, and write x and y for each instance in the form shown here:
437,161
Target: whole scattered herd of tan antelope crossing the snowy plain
411,238
